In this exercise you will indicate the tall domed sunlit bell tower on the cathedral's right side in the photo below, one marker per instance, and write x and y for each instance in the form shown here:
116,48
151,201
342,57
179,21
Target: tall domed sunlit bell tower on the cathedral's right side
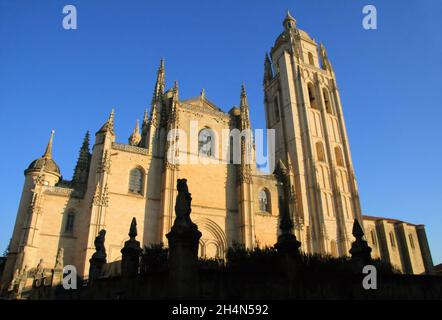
303,106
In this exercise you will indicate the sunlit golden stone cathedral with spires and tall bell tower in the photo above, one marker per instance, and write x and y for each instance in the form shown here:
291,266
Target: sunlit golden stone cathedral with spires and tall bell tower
232,202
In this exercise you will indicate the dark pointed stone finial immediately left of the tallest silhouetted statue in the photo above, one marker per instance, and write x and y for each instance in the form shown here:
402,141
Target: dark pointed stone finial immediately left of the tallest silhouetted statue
131,253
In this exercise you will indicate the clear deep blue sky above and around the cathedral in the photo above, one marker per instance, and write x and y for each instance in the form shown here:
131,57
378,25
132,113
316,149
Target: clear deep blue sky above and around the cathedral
389,80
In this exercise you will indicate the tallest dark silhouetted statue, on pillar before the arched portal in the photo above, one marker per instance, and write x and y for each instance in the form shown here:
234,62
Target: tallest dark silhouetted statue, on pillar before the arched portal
183,208
